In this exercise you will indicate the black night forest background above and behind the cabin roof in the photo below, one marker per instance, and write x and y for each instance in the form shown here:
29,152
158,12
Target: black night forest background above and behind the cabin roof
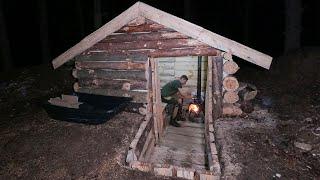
34,32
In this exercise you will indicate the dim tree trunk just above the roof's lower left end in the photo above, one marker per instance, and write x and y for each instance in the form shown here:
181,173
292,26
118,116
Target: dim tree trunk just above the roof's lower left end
44,36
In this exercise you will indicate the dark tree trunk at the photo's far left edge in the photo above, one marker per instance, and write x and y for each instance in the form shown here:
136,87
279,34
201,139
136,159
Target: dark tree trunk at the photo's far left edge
5,51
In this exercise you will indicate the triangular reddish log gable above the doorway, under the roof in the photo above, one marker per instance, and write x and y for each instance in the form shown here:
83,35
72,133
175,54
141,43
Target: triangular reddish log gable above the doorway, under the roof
151,39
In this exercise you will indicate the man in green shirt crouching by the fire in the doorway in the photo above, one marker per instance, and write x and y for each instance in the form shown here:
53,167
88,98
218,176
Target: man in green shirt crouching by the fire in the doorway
172,94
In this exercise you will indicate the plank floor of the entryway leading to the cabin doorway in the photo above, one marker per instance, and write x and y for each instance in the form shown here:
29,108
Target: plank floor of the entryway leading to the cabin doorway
182,146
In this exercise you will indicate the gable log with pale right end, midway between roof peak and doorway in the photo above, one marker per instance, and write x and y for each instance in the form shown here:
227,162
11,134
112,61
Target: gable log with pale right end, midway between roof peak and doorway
151,36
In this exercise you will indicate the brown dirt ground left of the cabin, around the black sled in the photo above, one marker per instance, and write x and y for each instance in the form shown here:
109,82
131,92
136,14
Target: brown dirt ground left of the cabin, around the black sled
33,146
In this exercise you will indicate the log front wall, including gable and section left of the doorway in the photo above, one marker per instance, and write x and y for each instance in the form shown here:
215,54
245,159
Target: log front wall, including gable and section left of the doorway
115,66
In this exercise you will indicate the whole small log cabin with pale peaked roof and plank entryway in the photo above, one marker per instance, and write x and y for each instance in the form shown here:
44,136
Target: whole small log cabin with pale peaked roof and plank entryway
137,52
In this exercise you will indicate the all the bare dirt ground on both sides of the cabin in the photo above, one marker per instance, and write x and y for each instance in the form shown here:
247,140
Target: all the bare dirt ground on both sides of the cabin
280,139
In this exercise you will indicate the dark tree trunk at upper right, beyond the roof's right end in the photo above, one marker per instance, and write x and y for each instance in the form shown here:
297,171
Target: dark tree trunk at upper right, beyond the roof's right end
292,25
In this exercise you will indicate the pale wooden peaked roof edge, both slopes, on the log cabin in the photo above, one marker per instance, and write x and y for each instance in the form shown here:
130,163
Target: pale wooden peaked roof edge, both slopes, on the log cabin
140,9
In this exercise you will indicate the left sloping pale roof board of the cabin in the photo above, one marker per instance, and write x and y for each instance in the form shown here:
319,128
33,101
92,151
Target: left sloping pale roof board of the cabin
98,35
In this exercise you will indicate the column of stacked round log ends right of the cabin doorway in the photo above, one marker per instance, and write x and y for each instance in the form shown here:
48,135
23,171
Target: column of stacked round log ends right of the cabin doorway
234,92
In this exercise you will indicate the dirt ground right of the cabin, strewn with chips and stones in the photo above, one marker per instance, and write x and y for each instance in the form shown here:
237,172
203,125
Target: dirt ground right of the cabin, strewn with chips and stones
281,138
